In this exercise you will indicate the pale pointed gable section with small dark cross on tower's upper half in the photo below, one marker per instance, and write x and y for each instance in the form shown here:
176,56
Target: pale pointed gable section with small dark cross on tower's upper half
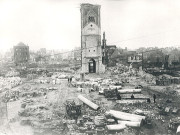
91,28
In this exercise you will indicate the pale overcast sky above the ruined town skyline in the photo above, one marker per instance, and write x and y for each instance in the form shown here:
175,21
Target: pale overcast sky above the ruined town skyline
55,24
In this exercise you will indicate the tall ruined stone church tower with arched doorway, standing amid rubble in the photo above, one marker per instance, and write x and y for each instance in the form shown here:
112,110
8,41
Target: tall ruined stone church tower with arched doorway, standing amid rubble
91,57
